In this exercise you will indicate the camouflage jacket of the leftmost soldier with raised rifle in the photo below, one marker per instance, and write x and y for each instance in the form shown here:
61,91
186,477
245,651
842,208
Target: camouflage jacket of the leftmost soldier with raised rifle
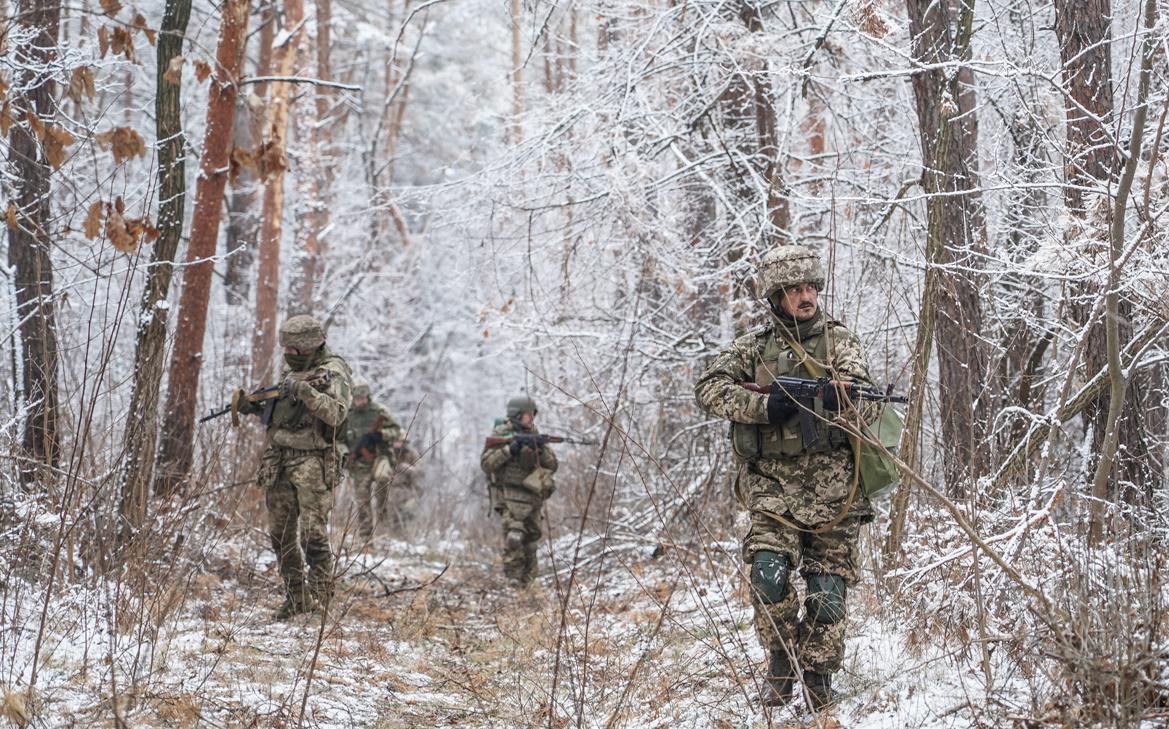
319,421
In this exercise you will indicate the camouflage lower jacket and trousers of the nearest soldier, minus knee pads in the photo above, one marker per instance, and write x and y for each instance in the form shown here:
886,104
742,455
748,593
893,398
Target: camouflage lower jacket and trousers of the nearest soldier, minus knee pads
818,647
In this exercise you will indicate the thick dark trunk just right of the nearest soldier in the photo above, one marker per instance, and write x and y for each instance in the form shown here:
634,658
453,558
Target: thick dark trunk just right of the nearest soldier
949,127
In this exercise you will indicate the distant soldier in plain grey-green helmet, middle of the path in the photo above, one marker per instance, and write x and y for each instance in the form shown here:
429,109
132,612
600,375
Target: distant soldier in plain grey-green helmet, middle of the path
520,475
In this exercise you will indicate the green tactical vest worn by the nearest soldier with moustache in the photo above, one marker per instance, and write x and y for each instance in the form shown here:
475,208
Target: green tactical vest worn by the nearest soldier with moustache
786,441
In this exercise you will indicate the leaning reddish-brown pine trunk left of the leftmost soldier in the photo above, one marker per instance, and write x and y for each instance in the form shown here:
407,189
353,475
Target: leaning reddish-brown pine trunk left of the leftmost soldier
176,452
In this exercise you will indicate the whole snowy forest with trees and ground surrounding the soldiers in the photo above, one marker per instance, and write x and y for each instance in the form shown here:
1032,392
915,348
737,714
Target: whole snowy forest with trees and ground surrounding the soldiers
571,202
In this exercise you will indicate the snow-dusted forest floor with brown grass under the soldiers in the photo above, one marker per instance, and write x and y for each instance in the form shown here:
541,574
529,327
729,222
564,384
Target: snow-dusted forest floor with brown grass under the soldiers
428,636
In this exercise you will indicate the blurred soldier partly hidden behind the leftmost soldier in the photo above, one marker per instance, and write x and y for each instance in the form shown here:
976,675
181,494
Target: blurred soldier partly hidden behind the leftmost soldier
382,463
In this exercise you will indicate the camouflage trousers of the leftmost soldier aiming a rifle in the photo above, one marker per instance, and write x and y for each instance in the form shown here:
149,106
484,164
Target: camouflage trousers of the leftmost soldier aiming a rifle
299,490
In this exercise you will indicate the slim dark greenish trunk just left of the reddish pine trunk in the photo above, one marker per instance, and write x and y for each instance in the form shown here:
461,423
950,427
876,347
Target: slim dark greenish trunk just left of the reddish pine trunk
142,429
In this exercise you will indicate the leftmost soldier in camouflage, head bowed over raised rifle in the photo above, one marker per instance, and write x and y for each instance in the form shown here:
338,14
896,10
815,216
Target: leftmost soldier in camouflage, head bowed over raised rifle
303,462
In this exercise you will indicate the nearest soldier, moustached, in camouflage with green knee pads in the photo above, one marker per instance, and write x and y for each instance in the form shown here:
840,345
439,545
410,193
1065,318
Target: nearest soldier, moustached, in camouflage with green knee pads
806,509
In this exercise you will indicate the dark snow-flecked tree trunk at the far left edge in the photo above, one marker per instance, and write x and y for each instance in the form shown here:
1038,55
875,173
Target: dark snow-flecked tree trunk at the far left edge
30,242
